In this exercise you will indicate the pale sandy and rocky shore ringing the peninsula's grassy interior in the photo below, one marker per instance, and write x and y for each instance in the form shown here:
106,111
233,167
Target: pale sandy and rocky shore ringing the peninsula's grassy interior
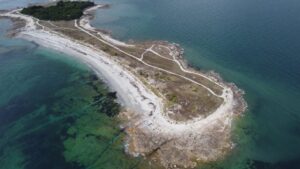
146,118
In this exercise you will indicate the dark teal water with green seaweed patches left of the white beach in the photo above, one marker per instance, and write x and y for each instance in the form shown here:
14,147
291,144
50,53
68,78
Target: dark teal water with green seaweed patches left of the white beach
61,117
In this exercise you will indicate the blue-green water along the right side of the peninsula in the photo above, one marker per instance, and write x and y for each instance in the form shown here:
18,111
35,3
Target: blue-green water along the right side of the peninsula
254,44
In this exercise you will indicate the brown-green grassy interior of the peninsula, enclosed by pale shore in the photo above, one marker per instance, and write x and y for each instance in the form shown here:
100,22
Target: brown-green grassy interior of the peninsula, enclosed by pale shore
185,99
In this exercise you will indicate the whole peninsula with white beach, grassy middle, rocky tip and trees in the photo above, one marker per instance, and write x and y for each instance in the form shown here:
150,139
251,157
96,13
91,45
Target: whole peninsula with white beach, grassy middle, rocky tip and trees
174,115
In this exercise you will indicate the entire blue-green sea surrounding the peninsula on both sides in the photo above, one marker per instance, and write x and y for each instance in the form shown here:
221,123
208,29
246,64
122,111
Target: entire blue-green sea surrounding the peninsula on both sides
56,114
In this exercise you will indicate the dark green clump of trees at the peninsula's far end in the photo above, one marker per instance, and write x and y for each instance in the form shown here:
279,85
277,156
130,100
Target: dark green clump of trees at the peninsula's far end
63,10
